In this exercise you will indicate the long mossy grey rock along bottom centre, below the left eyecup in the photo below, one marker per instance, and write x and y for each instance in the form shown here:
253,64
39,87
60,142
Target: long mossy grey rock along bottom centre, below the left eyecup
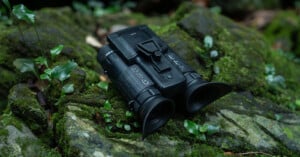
79,134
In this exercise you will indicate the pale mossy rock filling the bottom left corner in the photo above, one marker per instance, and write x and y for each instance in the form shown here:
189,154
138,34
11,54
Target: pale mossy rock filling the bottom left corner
16,139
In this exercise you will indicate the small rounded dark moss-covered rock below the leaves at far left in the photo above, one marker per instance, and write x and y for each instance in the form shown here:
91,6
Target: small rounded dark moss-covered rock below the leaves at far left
23,103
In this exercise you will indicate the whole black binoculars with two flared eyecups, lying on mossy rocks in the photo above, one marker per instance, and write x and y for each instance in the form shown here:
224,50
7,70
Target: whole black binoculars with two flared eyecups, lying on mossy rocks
151,76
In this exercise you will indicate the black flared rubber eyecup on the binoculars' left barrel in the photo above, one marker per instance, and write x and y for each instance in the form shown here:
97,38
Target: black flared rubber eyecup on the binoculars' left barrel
156,112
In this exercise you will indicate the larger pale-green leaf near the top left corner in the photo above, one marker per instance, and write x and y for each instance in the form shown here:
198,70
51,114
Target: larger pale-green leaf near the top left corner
23,13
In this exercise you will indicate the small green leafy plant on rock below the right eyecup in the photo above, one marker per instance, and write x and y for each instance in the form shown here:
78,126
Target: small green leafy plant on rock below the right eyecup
200,131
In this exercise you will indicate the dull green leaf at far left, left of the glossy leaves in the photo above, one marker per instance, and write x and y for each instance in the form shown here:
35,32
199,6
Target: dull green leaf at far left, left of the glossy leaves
24,65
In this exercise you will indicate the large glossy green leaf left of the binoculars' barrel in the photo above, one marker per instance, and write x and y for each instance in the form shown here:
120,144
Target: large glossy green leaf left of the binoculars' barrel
62,72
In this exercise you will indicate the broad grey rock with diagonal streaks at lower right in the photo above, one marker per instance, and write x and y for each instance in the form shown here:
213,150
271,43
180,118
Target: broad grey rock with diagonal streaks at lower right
250,123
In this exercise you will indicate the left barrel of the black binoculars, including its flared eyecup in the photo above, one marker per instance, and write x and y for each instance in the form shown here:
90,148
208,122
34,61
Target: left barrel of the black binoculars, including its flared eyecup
154,109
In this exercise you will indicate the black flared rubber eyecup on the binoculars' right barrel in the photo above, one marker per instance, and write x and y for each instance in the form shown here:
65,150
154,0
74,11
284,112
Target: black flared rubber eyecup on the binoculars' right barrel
199,95
